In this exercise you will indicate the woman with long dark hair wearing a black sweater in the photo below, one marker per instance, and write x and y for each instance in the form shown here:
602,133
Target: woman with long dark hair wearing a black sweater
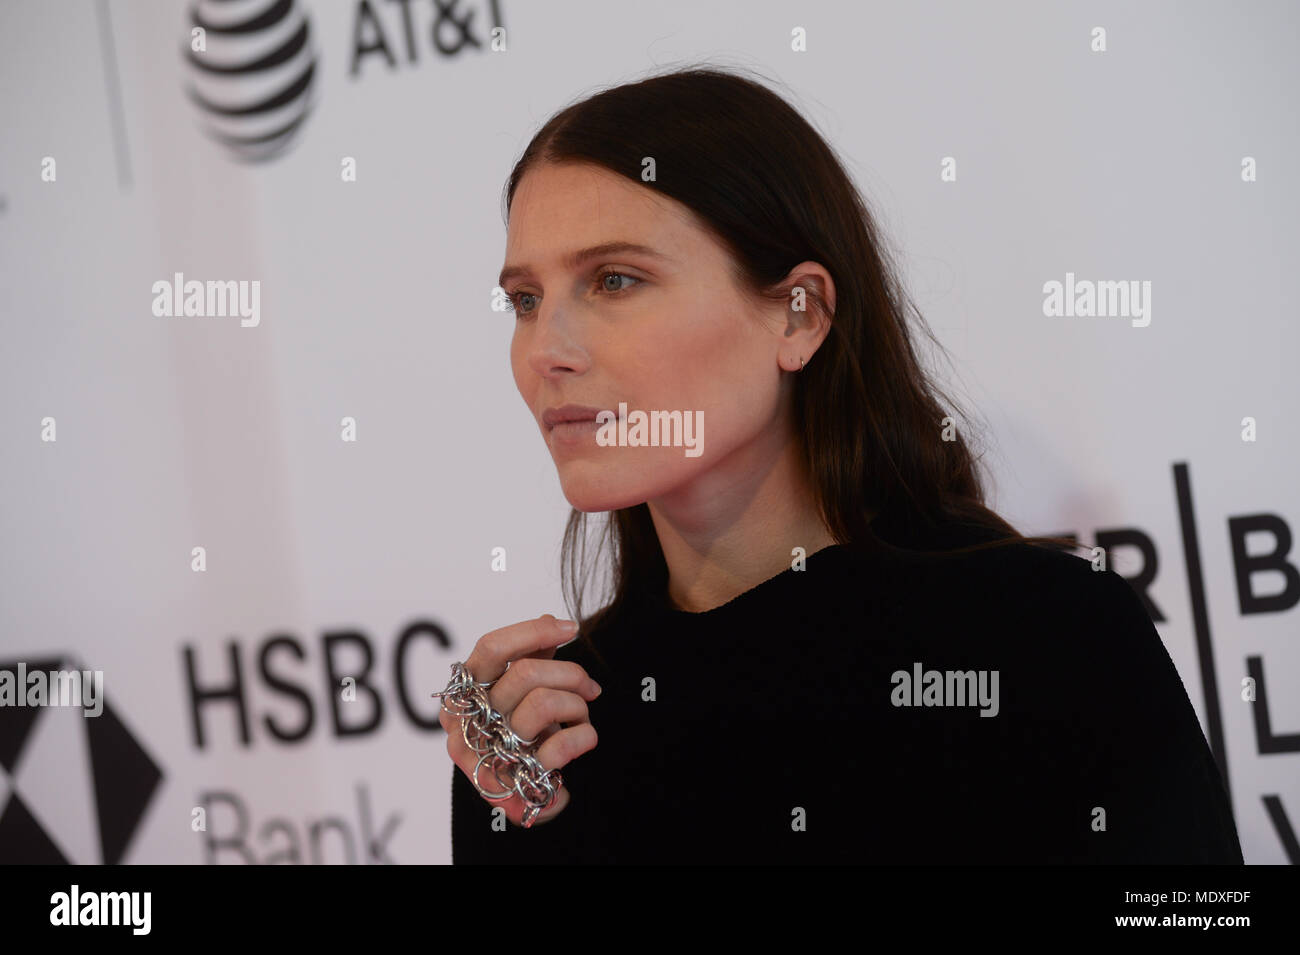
822,646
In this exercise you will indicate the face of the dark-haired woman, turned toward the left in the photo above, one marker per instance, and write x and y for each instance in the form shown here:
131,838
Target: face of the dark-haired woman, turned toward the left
664,329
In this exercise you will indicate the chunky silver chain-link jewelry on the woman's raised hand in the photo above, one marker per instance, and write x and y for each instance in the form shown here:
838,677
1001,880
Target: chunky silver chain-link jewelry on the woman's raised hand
488,735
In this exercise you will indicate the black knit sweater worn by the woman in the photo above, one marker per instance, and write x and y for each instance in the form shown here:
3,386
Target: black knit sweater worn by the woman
778,731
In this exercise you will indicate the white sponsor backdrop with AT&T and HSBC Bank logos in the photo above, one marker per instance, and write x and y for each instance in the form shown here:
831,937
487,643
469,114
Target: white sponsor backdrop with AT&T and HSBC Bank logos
266,471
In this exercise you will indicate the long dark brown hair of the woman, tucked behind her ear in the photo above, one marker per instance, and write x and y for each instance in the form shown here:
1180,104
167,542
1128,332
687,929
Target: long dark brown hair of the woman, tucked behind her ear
868,418
